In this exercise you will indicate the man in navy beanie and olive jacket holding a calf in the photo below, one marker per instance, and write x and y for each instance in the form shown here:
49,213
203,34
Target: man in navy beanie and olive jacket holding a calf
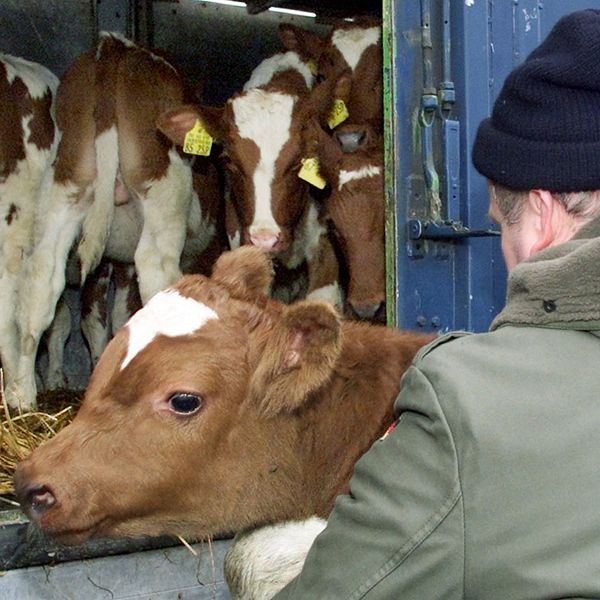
489,485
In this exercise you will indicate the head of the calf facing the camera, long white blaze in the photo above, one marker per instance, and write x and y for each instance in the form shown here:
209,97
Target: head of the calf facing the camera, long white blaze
260,130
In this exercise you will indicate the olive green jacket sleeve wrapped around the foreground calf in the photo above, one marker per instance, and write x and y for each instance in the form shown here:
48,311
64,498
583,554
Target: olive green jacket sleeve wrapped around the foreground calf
400,531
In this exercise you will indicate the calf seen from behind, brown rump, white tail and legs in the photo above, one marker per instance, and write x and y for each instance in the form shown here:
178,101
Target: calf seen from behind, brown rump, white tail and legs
109,154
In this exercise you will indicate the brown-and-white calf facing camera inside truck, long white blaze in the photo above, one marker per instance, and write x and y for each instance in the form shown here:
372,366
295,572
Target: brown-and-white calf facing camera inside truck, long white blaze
260,129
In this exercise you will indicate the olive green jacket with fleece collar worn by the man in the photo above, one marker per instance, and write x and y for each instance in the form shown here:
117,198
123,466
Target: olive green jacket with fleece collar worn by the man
489,486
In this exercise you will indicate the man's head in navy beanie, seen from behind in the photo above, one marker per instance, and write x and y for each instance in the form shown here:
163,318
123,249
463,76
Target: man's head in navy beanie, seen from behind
540,149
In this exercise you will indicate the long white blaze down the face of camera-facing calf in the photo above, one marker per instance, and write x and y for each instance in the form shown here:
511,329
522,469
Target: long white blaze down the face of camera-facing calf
265,118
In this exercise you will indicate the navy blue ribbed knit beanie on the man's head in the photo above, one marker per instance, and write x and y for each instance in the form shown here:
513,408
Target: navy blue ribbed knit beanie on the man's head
544,131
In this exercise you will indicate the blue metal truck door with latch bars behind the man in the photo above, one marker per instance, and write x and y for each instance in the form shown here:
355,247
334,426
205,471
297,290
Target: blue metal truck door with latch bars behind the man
445,62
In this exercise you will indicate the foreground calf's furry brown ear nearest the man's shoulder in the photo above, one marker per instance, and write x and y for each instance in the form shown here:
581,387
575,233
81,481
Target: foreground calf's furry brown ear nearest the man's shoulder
297,358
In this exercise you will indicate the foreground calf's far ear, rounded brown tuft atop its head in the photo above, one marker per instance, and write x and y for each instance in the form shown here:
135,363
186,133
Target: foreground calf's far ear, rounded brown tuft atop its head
246,272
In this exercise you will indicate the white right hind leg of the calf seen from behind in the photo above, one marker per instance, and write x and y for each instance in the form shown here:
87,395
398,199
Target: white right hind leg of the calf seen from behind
166,205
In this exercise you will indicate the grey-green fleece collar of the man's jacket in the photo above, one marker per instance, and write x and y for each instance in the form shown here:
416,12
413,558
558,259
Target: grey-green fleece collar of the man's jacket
558,287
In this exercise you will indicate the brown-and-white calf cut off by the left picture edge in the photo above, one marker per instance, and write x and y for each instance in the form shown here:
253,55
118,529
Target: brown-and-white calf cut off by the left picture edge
27,148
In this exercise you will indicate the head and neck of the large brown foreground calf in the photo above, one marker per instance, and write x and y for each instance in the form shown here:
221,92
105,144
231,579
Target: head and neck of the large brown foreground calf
217,409
